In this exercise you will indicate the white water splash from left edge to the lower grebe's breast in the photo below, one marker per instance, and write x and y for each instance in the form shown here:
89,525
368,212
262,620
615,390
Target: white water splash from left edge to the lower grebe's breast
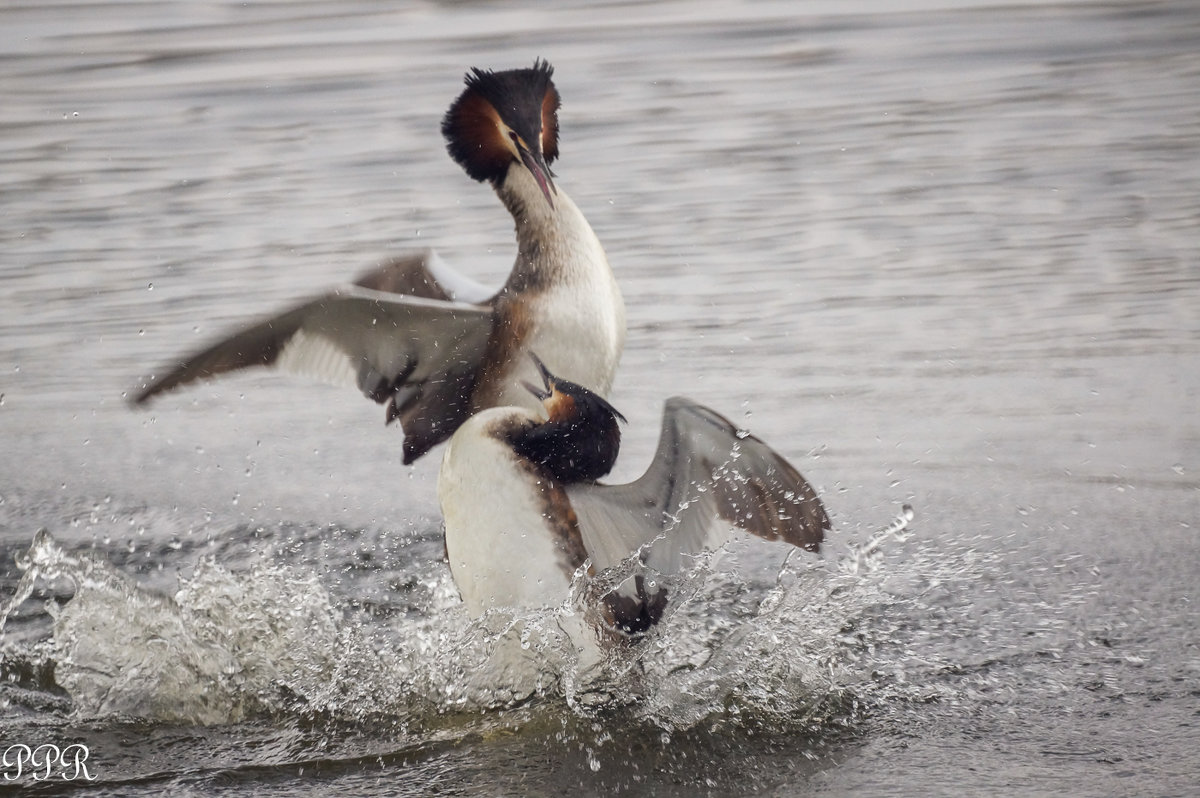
230,646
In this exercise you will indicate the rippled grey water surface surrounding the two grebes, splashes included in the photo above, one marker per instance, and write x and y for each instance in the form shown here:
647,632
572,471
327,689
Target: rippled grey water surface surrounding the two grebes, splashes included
944,256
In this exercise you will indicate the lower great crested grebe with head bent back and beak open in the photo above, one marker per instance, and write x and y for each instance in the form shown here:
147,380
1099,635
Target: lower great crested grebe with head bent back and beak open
525,513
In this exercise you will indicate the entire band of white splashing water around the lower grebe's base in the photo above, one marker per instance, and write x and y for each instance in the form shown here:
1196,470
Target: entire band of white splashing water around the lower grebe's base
272,641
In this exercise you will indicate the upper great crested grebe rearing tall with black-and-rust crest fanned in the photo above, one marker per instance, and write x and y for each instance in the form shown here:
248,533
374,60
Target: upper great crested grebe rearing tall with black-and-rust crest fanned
430,344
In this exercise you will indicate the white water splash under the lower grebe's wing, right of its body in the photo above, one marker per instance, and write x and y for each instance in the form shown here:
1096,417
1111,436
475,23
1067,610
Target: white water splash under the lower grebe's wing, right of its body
781,658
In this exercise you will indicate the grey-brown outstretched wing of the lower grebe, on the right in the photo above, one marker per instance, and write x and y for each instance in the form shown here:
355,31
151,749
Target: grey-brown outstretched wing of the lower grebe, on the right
706,477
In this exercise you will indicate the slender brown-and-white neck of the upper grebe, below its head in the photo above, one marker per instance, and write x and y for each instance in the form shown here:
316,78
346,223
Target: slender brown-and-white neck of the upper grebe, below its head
554,241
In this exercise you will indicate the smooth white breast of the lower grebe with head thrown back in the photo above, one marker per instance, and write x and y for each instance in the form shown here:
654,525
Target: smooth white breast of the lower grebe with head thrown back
502,550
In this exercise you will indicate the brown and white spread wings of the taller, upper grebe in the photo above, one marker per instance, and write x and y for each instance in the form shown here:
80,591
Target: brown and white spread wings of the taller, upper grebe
397,334
